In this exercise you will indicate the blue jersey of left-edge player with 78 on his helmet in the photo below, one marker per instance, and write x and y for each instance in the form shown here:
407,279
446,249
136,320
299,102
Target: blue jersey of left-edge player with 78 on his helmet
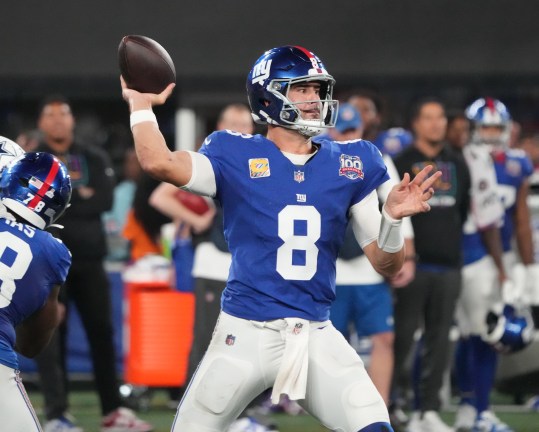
32,262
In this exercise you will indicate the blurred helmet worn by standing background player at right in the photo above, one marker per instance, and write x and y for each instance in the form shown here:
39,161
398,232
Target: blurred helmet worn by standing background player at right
486,112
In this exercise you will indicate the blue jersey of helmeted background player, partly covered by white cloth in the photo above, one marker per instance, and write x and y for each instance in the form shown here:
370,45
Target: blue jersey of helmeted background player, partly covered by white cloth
512,168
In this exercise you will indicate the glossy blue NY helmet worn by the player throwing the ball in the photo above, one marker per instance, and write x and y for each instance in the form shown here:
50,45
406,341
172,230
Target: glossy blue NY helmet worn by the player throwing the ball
270,80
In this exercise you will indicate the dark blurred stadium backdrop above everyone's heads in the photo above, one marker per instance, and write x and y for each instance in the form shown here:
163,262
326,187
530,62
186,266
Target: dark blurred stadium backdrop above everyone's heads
402,49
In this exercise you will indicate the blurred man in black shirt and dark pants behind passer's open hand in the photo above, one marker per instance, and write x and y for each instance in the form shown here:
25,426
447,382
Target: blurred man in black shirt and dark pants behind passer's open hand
429,300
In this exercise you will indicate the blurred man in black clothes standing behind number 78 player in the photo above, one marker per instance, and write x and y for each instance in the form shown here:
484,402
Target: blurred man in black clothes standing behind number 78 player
87,283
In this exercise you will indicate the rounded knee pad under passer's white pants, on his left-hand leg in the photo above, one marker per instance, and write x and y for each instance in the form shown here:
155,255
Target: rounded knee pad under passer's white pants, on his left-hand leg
220,383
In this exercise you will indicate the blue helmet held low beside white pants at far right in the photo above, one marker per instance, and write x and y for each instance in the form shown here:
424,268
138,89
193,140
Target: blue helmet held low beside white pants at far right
510,330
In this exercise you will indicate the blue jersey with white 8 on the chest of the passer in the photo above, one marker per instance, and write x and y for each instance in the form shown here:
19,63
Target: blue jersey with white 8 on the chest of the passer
284,224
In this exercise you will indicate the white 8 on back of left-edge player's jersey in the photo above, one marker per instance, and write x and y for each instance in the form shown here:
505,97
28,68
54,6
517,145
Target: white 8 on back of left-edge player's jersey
17,270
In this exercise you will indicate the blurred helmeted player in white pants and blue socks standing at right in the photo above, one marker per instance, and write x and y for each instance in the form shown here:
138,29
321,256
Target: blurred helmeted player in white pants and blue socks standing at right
485,284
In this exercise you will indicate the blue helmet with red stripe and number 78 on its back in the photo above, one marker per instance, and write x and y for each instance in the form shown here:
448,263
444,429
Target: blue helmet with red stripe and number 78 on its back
36,187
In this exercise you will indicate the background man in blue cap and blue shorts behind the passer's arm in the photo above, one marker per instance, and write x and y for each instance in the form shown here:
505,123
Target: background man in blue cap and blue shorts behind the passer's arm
363,297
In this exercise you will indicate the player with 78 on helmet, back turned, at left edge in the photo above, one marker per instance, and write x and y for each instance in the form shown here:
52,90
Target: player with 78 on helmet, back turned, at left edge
35,189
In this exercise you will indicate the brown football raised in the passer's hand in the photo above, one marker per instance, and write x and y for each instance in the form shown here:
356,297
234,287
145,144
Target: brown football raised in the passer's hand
145,65
